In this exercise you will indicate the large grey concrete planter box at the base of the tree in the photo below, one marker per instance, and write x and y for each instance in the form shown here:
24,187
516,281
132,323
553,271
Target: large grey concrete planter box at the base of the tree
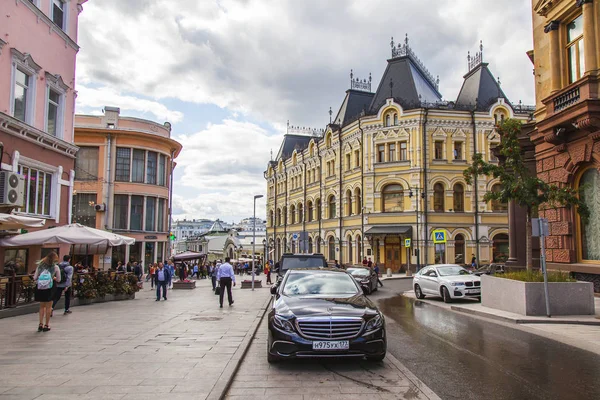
527,298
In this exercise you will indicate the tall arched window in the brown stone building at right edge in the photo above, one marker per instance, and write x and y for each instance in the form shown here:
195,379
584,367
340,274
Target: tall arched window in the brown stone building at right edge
590,195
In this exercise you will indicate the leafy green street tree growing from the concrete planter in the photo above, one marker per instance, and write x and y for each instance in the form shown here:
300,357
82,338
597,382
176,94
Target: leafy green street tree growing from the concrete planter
518,184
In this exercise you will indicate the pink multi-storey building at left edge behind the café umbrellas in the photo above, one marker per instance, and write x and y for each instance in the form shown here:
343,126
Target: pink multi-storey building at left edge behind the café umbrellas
38,49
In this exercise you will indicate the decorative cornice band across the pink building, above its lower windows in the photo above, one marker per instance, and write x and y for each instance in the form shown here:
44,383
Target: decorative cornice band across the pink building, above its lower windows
14,127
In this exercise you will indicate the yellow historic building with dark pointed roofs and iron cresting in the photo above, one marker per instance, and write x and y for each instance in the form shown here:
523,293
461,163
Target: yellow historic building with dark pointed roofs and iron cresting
389,167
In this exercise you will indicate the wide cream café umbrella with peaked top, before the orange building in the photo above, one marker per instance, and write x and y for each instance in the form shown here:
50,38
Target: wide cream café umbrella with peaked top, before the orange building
68,234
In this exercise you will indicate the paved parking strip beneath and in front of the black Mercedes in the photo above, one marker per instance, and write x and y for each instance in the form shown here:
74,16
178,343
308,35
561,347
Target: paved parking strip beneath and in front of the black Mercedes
318,379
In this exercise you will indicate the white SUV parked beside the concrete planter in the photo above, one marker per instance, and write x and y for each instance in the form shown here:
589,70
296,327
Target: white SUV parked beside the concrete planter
450,281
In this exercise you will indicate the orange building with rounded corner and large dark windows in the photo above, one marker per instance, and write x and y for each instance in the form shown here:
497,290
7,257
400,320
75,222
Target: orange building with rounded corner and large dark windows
123,183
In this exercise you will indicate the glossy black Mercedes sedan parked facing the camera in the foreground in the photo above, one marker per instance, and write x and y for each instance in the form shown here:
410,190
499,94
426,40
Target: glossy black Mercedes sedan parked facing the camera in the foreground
323,313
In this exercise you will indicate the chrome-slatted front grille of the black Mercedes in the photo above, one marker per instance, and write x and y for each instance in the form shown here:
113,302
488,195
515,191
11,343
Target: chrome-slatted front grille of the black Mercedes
329,328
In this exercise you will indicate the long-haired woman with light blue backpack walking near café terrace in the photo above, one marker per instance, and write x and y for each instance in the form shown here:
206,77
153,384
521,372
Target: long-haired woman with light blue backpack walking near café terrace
47,274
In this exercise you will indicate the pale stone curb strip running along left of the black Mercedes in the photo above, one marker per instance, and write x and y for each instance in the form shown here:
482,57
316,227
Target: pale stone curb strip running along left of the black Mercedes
222,385
